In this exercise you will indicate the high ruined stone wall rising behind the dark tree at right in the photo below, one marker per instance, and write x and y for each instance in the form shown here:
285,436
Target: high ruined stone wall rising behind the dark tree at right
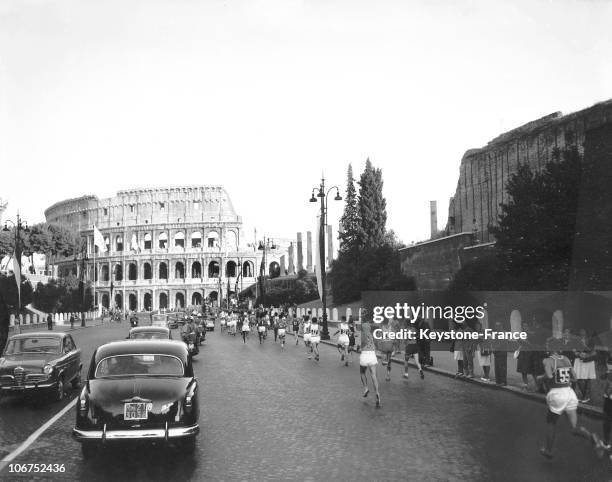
484,172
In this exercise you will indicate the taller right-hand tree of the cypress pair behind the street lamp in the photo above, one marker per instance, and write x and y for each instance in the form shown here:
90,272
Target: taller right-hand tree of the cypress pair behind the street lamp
372,208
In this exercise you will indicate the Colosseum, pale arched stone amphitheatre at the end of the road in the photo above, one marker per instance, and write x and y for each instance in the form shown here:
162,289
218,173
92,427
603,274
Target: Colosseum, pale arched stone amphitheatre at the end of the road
165,248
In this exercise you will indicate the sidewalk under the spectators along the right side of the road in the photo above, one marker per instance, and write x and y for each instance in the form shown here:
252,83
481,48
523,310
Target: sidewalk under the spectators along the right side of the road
445,365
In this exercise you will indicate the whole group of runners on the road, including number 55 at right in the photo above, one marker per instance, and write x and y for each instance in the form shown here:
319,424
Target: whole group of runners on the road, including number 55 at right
558,371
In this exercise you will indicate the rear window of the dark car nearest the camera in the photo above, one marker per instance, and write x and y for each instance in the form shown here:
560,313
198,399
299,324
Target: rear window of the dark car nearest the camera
139,365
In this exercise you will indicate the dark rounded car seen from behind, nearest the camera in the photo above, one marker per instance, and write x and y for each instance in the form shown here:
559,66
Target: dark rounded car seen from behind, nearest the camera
138,391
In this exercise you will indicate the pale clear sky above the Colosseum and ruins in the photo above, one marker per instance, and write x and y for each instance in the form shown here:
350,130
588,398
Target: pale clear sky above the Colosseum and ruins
262,96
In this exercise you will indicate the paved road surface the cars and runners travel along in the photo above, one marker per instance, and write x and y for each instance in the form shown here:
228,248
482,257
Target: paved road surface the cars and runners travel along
268,415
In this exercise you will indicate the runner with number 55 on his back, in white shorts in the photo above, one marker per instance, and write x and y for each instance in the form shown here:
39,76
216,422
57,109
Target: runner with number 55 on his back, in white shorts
560,398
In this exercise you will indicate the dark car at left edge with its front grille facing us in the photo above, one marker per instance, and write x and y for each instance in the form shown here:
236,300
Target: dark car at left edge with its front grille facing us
40,362
